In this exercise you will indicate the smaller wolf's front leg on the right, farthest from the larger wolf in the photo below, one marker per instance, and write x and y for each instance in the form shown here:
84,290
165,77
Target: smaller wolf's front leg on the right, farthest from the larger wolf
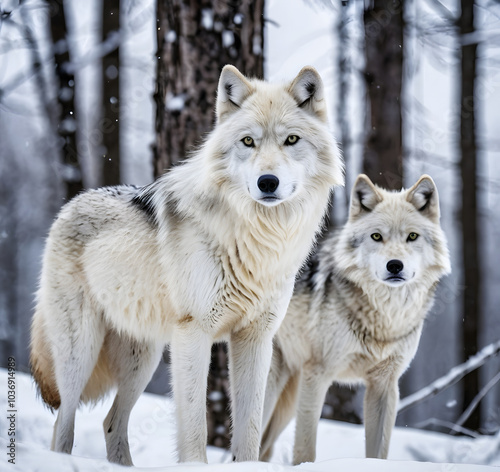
380,404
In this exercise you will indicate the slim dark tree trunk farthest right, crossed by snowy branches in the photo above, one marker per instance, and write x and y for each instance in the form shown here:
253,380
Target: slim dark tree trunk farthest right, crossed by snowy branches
469,213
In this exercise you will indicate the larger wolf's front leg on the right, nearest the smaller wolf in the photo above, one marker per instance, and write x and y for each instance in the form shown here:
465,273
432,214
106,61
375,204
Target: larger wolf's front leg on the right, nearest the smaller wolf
250,352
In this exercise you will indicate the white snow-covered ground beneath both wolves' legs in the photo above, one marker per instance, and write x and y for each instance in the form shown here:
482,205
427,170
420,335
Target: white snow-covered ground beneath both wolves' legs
152,443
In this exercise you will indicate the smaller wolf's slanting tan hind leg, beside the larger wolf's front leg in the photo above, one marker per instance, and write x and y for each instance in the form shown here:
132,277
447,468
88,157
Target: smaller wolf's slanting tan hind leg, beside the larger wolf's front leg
281,416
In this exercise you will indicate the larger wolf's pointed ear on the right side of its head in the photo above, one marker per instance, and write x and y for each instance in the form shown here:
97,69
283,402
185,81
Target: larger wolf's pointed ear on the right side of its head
307,89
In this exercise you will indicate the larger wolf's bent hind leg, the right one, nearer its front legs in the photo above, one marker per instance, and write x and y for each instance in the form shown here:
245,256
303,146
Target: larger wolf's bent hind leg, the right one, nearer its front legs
133,363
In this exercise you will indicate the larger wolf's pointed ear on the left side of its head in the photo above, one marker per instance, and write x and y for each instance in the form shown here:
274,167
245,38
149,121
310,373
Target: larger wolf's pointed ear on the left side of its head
233,89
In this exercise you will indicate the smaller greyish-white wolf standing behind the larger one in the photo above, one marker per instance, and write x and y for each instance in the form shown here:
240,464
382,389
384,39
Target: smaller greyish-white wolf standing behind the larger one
357,314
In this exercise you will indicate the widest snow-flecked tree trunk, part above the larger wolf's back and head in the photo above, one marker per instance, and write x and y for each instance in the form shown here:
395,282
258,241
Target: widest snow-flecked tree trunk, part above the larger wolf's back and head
196,38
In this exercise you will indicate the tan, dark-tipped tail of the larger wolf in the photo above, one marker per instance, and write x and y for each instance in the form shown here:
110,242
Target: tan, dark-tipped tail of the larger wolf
42,363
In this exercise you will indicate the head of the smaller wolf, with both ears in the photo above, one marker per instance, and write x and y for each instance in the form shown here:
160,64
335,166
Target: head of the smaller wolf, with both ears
394,238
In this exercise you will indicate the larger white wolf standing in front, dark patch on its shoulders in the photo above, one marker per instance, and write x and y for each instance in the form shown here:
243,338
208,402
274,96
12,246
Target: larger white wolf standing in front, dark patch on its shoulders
208,252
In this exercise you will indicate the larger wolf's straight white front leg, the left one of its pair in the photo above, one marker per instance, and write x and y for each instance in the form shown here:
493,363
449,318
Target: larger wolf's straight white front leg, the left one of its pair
190,351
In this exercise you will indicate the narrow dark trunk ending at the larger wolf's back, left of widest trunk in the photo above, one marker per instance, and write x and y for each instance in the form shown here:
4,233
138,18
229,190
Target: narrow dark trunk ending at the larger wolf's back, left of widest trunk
110,124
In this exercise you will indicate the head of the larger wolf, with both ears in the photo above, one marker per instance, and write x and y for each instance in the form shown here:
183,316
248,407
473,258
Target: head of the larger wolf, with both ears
272,140
